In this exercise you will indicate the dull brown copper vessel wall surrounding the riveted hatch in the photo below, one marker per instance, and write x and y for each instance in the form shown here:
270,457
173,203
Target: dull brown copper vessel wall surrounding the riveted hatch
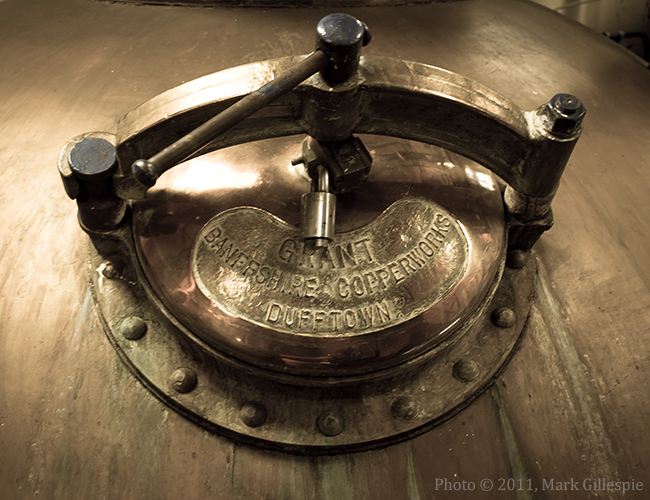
571,404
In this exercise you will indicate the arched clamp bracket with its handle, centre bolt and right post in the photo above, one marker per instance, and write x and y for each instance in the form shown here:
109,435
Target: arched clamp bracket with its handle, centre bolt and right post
527,149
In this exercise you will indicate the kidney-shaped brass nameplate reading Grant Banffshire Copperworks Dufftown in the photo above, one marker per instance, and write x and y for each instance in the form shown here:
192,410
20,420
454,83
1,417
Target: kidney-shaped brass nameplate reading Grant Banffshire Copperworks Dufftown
254,266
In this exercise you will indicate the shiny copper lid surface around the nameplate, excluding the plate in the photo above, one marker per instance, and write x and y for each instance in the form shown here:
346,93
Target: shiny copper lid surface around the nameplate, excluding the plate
167,223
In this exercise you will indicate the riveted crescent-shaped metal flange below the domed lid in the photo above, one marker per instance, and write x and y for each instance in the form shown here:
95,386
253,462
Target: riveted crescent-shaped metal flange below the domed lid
296,413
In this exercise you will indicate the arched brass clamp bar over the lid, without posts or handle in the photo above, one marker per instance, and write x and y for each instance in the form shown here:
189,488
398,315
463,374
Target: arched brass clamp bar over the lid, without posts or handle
420,90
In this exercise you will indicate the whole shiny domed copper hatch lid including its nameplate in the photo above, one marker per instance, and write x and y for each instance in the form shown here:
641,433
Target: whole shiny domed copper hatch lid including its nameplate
245,283
